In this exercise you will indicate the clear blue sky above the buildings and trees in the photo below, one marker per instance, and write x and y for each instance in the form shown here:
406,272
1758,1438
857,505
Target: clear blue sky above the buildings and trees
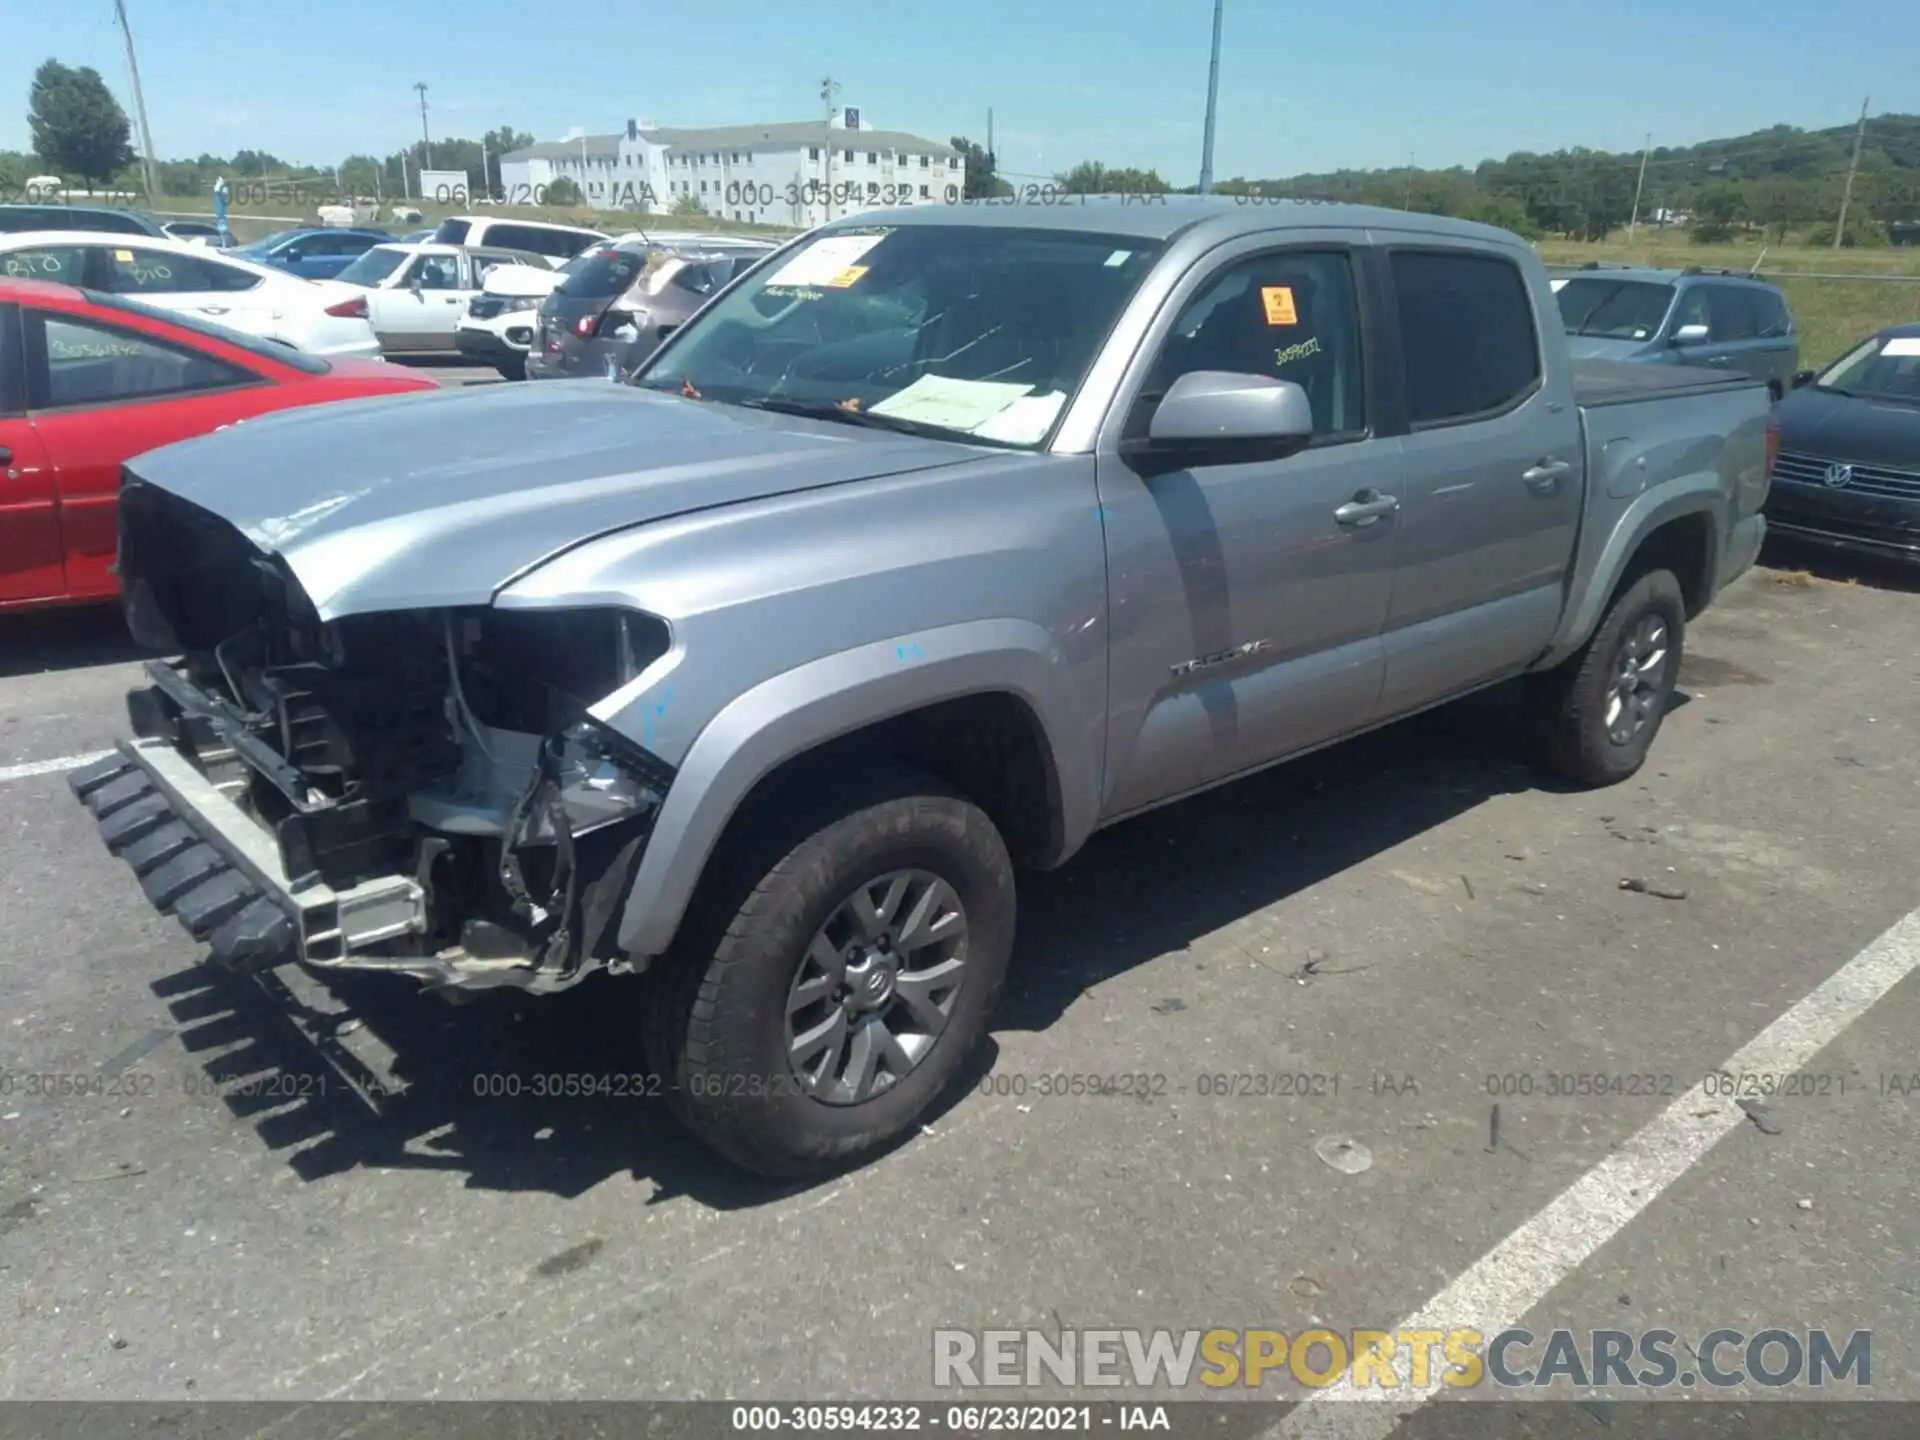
1305,87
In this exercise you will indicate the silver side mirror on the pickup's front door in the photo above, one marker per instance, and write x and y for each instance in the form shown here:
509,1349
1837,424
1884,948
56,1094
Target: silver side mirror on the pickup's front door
1216,418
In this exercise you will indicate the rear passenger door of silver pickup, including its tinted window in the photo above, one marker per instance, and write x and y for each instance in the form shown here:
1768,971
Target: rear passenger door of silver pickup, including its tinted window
1491,469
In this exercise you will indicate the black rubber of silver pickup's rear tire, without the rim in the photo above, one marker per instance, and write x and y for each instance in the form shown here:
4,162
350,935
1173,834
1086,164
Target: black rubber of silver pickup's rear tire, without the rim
1572,702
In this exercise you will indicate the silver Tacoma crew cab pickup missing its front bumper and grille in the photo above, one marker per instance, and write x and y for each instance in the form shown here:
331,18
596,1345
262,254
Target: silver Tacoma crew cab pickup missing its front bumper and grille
923,552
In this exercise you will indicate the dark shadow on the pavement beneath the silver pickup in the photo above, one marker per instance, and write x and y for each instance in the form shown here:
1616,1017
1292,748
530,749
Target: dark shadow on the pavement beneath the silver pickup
487,1093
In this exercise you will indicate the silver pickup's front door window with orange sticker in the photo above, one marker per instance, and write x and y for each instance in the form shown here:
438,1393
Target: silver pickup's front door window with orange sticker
1287,316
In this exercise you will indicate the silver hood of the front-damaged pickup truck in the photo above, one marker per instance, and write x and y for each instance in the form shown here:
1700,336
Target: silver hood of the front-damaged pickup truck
412,502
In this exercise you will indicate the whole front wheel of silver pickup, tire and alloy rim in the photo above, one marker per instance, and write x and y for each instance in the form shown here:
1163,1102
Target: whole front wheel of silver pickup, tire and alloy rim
848,988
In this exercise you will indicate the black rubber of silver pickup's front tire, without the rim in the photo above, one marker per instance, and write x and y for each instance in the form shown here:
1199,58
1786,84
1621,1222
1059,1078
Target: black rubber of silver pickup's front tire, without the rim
717,1015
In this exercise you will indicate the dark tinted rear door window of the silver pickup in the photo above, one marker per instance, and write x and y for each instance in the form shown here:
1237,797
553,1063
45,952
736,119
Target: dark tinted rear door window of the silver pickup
1468,333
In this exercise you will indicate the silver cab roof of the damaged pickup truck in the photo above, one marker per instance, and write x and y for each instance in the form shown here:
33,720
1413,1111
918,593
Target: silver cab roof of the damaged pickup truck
1161,218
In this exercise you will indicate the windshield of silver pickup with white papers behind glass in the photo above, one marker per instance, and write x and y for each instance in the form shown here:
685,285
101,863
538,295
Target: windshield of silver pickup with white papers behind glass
948,329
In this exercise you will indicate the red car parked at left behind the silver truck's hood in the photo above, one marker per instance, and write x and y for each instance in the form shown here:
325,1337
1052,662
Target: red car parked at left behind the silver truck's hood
91,381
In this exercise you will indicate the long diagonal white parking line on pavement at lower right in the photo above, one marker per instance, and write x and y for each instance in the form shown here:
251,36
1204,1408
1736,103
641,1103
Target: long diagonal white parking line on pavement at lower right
1520,1272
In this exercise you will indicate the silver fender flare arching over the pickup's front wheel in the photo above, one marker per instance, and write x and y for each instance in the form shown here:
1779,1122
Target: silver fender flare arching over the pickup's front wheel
815,704
